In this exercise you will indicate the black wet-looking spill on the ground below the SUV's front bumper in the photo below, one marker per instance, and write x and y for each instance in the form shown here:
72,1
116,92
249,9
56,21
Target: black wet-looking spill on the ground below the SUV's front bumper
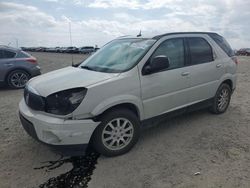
77,177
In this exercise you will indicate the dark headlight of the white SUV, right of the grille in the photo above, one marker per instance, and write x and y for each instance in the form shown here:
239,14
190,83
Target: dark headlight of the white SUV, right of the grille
64,102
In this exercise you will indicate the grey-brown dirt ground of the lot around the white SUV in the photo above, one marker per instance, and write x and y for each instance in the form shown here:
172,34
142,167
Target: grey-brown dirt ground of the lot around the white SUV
167,155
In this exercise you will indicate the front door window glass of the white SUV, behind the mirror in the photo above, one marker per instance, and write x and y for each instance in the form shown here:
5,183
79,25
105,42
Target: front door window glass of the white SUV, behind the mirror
173,49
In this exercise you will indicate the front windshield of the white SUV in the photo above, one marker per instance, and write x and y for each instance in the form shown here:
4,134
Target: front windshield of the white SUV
118,56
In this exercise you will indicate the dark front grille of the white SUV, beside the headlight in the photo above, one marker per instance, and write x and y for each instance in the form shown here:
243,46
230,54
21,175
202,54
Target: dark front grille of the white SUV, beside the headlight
35,102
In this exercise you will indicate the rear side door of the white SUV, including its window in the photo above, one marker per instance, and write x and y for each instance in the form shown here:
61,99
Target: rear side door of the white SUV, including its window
204,67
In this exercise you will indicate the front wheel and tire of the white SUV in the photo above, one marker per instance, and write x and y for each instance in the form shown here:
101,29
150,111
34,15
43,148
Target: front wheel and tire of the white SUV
123,137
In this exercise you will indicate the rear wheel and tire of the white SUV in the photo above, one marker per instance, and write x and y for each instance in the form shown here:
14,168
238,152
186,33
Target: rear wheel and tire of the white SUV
221,99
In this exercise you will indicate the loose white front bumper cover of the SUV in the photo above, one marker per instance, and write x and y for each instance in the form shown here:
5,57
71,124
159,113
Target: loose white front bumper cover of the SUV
55,131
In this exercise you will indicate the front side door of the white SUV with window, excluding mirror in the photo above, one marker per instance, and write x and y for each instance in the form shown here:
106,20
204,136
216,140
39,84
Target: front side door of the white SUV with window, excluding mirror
166,90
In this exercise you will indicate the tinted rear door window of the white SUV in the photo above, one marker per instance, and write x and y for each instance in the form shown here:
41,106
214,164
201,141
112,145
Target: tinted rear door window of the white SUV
200,50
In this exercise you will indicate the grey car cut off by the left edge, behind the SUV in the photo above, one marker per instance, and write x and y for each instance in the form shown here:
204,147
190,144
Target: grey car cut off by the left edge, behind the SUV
16,67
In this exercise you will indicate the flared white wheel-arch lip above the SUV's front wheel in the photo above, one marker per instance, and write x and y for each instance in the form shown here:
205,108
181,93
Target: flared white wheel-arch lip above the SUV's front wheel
121,99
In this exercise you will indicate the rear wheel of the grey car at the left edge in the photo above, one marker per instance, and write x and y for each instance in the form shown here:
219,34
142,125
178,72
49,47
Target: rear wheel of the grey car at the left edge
17,79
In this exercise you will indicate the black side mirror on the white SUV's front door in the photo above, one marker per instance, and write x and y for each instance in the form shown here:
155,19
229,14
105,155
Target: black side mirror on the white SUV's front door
158,63
